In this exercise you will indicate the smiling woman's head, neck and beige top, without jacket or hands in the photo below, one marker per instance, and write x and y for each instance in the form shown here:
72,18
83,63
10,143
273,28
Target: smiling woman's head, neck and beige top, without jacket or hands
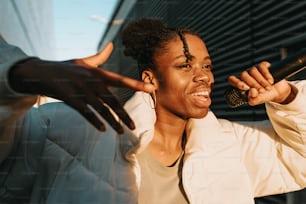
177,63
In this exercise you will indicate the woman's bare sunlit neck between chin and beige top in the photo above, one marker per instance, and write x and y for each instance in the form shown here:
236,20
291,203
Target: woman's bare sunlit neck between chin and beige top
166,145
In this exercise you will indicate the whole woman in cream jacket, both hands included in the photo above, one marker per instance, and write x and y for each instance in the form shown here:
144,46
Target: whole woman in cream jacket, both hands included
179,152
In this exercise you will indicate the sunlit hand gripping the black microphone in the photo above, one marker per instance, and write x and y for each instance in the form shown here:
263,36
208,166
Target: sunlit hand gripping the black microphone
259,83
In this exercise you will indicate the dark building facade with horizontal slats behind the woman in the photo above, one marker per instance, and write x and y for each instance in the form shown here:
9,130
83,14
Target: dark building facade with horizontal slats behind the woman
238,34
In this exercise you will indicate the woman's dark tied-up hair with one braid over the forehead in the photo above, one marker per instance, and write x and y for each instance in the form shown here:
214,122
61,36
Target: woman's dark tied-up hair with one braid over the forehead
146,38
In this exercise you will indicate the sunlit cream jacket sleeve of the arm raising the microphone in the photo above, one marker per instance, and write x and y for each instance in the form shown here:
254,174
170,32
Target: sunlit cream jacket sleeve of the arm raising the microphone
274,152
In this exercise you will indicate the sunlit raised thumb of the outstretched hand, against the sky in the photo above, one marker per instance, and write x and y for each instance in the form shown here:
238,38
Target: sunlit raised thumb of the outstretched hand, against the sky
99,58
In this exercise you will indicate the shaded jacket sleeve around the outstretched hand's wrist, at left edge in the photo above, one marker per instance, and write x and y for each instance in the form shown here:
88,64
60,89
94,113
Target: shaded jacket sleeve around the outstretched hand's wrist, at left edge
12,105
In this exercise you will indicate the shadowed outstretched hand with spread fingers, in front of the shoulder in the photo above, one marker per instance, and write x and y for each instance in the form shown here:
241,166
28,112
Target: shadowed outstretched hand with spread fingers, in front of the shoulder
80,84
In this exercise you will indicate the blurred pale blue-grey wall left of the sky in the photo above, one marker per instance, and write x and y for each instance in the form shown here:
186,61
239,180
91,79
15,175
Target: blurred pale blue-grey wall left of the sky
28,24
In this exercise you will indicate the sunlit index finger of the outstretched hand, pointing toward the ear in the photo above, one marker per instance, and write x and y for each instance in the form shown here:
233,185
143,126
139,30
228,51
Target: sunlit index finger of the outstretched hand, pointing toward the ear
117,80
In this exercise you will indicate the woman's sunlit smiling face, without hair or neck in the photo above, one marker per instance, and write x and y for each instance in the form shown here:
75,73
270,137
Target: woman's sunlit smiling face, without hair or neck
184,87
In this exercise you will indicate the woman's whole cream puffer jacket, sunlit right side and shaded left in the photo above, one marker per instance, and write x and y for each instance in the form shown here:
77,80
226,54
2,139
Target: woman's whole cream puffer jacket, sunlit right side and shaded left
56,156
